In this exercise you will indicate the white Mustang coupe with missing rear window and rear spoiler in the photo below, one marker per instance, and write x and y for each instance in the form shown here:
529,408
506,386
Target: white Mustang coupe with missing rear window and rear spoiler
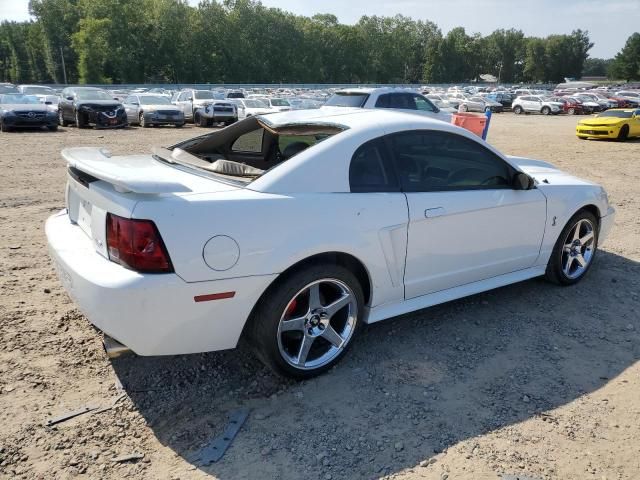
293,229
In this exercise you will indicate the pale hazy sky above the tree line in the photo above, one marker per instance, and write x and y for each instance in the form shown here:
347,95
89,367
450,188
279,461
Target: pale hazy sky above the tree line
609,22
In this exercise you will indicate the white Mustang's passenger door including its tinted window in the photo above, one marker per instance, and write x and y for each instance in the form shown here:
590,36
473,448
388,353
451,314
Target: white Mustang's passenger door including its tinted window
466,221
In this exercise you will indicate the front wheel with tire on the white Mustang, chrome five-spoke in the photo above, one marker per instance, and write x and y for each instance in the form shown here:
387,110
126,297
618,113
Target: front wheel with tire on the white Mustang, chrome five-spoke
574,250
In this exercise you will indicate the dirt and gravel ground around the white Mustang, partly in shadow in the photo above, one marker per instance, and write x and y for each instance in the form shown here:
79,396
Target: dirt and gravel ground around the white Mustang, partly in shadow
532,379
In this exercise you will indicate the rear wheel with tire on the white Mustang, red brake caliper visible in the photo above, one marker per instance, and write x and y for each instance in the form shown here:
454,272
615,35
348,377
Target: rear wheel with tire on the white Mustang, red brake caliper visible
305,324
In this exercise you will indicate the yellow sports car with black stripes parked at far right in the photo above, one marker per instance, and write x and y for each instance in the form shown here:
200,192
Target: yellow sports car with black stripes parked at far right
617,123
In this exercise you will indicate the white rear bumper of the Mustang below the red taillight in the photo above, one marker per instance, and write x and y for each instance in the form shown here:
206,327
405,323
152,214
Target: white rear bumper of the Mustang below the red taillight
150,314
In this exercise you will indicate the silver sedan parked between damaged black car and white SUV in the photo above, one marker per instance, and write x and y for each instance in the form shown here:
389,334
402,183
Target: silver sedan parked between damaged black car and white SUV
147,110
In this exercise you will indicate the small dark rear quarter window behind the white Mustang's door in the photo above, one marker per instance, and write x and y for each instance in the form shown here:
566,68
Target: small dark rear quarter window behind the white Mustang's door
369,170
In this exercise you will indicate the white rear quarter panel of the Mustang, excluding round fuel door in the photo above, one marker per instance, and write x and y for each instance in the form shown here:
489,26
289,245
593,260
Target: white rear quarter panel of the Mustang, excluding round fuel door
275,231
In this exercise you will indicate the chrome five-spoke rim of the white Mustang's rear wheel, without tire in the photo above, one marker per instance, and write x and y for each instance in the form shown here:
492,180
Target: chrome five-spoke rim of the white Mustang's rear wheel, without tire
317,323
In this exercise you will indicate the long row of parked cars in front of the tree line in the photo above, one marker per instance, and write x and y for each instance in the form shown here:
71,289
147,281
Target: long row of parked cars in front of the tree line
40,106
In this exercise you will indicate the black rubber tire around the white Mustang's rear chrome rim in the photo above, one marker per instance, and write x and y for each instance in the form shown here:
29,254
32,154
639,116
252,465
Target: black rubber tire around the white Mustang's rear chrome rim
262,331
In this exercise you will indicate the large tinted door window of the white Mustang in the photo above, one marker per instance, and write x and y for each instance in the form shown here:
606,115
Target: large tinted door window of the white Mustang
431,161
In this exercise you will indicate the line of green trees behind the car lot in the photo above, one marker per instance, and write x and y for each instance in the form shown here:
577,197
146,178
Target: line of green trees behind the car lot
242,41
